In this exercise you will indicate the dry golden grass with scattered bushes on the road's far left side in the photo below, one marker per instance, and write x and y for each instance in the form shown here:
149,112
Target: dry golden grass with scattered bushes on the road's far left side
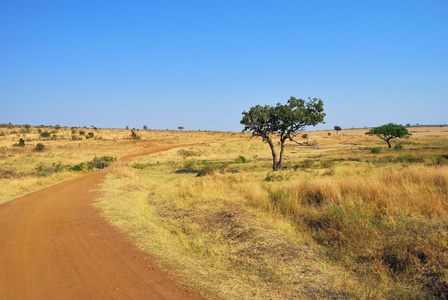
24,169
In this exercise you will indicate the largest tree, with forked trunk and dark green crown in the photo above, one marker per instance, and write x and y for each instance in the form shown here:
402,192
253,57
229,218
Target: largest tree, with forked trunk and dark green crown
287,121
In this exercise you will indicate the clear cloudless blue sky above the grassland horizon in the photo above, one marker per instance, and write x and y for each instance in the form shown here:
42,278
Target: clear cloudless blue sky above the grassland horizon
199,64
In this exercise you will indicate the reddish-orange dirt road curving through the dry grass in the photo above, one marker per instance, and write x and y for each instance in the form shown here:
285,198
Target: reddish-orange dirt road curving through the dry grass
55,245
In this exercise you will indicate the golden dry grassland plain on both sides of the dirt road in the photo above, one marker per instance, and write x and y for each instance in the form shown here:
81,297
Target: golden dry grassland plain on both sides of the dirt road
346,218
